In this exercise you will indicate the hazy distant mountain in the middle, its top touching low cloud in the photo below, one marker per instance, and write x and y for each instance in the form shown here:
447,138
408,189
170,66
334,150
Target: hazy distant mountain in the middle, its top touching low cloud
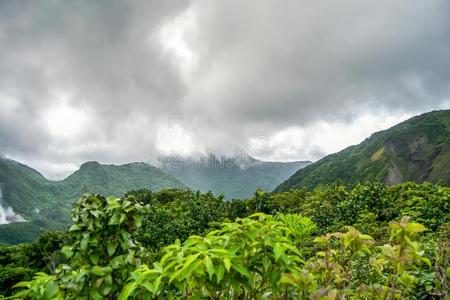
234,177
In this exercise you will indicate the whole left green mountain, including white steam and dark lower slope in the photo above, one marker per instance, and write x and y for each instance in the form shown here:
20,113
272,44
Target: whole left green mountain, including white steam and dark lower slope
27,195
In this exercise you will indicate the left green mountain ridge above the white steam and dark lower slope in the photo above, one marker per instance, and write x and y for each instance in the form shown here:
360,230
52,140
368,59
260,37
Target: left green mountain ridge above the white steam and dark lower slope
27,191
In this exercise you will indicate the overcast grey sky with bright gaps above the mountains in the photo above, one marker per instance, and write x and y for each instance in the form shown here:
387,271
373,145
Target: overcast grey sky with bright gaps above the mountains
284,80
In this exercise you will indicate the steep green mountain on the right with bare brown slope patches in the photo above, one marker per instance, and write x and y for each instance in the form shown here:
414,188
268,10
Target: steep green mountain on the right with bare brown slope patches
415,150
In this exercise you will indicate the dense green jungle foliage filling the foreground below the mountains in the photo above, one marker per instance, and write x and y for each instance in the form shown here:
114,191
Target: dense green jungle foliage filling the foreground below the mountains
368,242
